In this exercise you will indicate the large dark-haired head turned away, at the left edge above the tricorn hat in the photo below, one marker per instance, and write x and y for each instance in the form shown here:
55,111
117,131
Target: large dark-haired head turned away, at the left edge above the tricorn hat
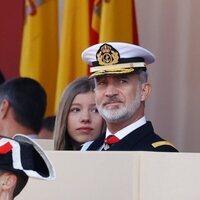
22,107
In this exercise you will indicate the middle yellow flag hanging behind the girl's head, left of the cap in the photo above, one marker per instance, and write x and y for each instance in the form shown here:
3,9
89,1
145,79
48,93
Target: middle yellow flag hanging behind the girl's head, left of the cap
74,39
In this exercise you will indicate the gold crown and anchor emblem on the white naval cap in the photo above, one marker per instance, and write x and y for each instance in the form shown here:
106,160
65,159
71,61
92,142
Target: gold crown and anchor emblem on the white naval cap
107,55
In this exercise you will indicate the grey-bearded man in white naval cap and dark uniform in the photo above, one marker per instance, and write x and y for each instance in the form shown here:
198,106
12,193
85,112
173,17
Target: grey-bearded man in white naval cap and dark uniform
121,89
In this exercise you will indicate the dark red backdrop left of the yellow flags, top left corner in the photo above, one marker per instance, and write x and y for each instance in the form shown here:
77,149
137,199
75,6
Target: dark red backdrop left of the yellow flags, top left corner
11,23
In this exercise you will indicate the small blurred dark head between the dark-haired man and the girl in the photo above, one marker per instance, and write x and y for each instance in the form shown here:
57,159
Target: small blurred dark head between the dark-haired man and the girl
47,128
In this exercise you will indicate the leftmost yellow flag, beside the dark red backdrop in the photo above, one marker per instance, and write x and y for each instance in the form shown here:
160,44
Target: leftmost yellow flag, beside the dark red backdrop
39,55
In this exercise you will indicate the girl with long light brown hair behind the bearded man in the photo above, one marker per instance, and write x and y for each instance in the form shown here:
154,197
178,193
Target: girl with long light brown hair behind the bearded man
77,119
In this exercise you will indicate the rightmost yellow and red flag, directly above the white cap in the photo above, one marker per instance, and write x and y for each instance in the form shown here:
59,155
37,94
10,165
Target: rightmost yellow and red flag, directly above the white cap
114,21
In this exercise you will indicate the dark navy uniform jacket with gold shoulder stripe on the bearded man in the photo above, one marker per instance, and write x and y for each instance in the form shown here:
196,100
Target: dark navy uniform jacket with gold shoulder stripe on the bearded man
141,139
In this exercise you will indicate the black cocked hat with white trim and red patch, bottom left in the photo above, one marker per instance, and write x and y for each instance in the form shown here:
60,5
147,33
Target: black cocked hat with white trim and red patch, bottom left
22,155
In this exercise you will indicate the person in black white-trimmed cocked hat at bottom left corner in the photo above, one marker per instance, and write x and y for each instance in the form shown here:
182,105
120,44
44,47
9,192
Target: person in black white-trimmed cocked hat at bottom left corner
21,158
